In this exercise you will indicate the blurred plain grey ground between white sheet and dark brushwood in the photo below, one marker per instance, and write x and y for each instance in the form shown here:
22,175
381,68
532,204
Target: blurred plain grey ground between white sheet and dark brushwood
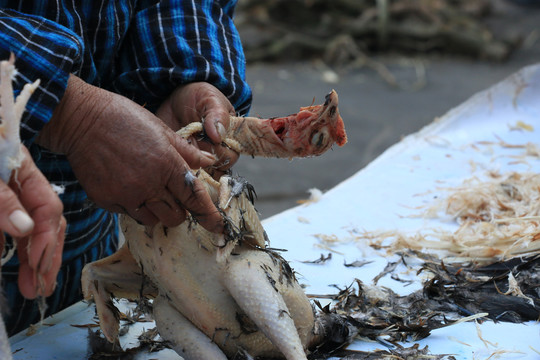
376,114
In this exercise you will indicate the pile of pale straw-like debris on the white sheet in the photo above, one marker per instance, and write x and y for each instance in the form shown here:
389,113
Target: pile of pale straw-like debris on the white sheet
497,219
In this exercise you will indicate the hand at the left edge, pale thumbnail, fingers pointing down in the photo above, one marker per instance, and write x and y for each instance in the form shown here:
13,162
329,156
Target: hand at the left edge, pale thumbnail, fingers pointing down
31,213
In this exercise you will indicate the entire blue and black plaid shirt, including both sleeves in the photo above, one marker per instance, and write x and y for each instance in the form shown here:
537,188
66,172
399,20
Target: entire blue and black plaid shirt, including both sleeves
141,49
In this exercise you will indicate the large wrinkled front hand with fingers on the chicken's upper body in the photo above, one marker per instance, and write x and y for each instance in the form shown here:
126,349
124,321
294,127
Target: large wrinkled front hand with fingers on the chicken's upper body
127,159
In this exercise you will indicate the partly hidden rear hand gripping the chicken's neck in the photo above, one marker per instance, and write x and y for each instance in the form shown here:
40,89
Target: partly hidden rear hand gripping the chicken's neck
197,102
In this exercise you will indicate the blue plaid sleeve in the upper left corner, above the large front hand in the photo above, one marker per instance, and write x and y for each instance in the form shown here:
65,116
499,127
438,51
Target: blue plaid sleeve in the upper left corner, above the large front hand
43,50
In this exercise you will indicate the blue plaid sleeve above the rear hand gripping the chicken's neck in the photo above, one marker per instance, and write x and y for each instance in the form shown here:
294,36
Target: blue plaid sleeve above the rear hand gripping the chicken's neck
175,42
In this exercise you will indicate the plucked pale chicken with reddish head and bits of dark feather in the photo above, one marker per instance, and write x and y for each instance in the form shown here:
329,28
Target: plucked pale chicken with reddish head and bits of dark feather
217,295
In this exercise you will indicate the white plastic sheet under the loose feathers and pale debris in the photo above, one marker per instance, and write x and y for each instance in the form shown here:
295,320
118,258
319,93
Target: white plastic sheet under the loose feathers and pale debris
382,196
